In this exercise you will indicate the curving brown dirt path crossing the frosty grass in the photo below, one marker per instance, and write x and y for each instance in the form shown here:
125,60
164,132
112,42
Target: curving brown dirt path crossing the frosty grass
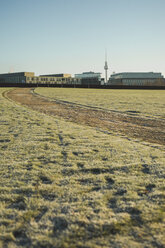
149,130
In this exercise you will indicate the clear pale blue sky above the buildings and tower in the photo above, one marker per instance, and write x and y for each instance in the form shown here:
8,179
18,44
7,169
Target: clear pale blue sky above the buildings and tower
70,36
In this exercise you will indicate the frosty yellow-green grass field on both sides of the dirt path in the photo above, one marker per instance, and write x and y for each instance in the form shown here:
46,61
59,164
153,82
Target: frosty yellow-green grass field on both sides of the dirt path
68,185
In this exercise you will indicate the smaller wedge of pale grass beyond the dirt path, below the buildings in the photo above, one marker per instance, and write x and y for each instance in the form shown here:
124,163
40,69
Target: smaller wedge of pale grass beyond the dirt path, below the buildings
148,103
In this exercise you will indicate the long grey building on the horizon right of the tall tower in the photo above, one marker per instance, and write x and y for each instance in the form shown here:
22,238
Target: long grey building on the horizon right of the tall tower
137,79
